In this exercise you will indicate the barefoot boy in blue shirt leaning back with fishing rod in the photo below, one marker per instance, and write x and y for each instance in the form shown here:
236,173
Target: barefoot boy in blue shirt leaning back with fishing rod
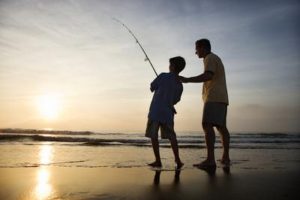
167,92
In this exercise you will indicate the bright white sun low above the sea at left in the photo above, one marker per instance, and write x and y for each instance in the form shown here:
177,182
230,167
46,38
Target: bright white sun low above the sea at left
48,106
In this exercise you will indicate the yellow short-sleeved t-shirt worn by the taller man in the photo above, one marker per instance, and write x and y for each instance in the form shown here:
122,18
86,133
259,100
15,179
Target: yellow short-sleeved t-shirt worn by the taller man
215,90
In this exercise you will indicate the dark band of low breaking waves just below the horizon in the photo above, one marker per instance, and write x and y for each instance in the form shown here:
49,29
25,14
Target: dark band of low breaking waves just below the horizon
242,141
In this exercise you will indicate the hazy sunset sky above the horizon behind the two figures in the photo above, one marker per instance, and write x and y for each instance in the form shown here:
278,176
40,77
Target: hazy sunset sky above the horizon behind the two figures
65,64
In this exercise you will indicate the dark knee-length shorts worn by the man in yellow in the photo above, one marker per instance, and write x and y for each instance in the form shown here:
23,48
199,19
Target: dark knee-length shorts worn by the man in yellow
215,113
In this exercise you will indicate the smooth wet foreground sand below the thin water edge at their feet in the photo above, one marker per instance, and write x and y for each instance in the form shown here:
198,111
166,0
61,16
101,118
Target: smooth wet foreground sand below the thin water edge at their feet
50,182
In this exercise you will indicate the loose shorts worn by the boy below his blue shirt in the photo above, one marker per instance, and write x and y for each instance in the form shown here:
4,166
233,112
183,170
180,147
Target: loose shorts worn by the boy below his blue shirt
166,130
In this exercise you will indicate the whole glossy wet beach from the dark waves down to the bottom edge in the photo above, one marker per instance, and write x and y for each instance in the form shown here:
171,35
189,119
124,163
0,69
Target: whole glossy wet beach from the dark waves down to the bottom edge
48,170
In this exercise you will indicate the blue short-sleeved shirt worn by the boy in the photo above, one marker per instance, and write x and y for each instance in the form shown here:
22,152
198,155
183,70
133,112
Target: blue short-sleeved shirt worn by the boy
167,92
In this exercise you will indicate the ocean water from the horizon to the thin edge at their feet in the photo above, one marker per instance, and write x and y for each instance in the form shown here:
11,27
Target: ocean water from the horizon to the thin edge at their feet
122,150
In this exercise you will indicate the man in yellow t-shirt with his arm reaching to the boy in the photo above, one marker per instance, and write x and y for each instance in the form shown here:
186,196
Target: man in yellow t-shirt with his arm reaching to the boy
215,99
